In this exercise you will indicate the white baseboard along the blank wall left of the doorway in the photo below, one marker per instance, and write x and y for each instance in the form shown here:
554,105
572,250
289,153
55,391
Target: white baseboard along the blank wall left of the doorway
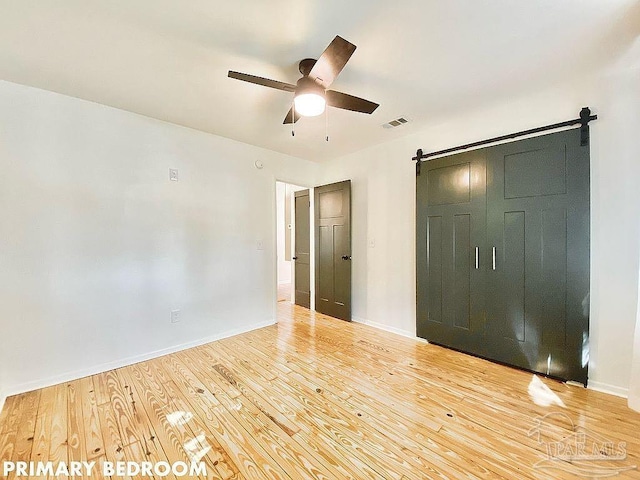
104,367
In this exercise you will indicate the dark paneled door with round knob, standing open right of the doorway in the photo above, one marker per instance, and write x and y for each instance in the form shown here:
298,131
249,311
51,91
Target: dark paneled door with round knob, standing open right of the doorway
333,249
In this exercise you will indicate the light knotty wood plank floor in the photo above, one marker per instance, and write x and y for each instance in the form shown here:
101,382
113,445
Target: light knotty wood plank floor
314,397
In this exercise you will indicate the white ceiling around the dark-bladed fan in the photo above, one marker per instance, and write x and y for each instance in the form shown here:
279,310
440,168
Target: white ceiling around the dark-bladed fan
422,59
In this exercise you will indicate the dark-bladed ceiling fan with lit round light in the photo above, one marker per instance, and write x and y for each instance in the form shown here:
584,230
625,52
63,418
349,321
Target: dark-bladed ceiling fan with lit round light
311,91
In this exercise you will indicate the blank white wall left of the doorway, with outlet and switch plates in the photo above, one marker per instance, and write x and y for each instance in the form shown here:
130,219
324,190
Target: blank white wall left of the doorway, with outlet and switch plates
97,246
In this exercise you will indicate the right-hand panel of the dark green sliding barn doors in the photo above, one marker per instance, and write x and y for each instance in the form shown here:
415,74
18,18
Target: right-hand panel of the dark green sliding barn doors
538,233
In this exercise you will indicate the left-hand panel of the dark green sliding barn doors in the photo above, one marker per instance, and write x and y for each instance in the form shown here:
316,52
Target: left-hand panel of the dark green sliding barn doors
450,239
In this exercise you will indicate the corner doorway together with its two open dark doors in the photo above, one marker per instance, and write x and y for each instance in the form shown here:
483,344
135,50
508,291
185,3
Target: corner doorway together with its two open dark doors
313,244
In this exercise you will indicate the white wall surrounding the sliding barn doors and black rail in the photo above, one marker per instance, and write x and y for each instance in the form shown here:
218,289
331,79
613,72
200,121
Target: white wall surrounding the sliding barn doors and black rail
383,212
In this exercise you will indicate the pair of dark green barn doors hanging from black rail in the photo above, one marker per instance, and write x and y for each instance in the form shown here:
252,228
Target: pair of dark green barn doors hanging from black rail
503,253
